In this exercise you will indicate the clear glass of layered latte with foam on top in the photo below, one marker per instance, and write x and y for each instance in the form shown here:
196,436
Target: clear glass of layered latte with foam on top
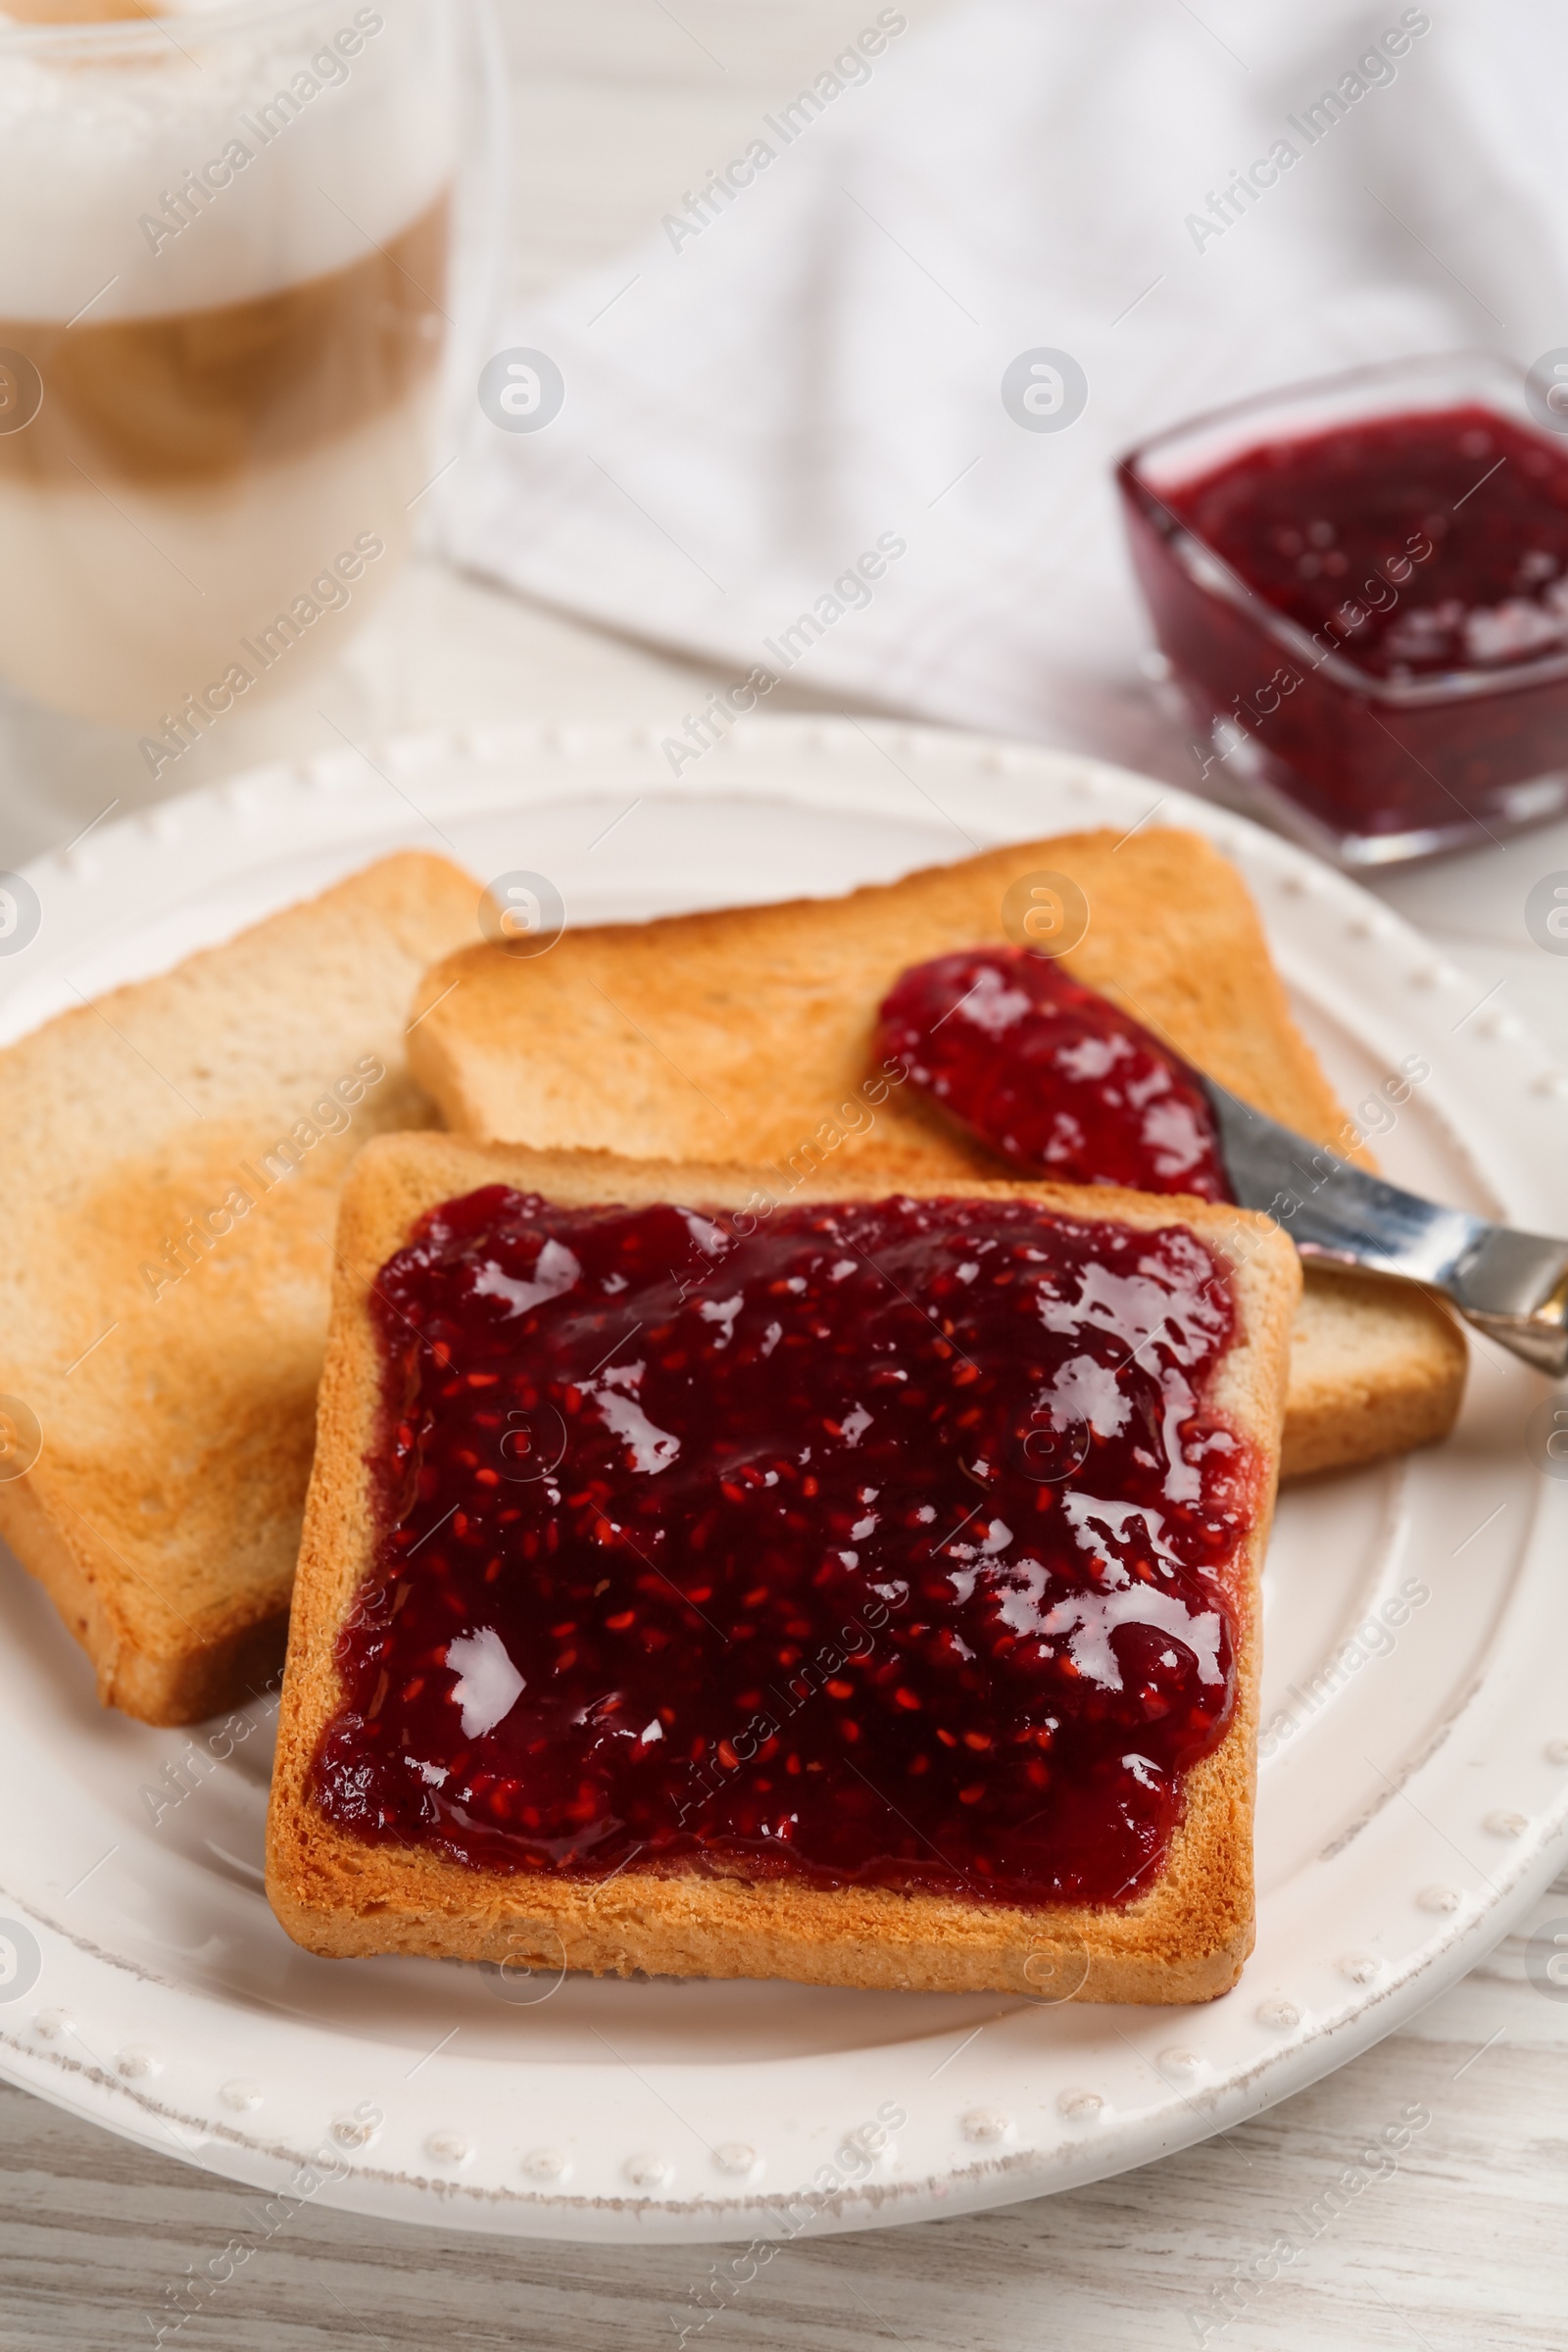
225,314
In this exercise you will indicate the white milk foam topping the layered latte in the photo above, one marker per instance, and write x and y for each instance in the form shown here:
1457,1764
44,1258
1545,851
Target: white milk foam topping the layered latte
98,133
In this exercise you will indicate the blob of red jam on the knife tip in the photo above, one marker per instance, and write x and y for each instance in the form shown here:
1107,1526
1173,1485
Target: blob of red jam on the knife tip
1052,1076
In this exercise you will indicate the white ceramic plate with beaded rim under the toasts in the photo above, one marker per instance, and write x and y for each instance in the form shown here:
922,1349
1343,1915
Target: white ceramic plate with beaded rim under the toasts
1412,1791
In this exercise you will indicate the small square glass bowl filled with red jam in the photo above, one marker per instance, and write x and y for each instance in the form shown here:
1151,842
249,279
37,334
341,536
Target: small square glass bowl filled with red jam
1362,596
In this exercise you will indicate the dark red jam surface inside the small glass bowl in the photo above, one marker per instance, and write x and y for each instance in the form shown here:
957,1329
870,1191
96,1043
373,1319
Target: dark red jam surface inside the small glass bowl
1308,523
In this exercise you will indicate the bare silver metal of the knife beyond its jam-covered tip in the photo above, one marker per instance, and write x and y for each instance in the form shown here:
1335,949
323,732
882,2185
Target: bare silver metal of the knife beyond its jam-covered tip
1510,1285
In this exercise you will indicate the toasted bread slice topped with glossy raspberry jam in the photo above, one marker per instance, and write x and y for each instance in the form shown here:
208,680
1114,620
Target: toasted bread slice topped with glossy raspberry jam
852,1586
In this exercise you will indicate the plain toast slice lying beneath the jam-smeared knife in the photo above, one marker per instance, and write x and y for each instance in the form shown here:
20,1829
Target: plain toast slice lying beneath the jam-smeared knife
746,1036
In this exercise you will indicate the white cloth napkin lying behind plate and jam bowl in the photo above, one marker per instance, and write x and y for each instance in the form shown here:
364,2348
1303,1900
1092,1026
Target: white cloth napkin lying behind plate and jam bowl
815,375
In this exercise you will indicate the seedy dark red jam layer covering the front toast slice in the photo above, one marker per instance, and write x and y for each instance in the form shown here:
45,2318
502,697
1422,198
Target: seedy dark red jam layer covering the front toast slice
880,1544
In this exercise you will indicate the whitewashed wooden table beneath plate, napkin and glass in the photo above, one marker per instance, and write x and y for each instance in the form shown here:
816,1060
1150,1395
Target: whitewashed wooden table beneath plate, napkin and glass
1463,2247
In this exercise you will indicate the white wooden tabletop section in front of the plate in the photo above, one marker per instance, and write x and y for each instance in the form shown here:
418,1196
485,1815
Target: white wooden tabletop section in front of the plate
1461,2245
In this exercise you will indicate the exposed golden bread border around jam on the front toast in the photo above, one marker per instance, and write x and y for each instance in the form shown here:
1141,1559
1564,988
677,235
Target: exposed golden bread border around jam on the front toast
344,1895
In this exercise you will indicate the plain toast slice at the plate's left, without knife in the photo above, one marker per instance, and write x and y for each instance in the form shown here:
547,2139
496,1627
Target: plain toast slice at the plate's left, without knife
170,1161
